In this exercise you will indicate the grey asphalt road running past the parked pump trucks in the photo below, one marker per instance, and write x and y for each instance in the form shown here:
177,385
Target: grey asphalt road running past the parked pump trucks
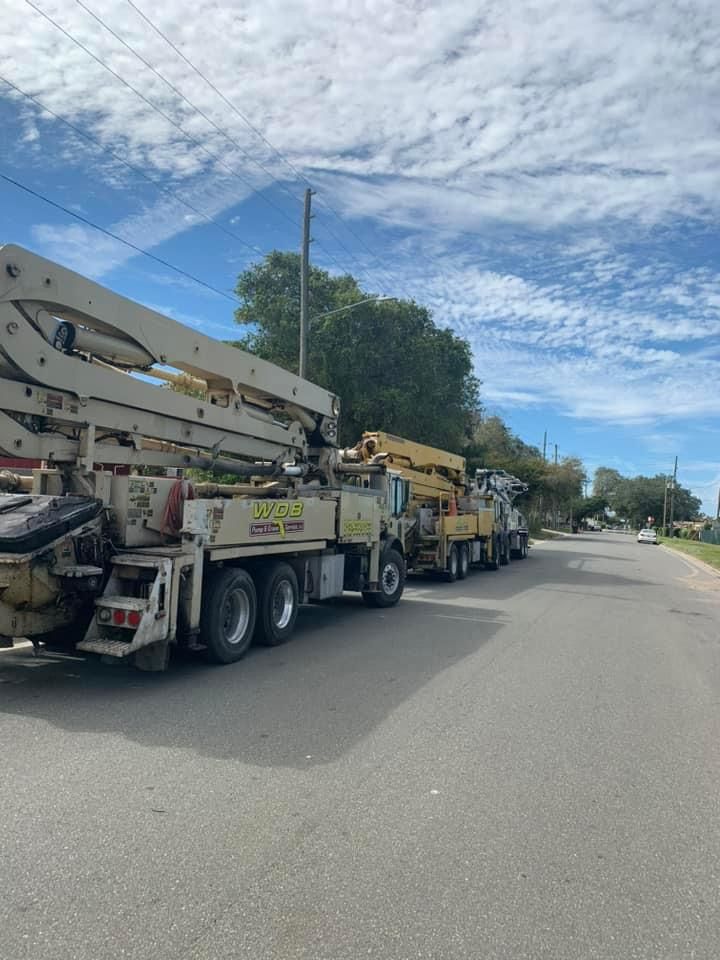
522,765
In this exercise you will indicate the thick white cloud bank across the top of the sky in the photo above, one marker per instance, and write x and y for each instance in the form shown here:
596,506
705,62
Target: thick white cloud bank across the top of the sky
523,111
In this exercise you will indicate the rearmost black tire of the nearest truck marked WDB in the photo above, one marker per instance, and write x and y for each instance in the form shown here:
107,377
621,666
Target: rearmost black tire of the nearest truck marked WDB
229,611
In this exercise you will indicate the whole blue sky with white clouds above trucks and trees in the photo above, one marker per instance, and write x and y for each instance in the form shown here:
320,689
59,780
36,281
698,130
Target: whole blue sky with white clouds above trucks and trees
544,176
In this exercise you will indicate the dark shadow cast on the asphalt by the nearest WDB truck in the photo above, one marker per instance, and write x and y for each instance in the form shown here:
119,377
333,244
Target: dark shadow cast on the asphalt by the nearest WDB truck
308,702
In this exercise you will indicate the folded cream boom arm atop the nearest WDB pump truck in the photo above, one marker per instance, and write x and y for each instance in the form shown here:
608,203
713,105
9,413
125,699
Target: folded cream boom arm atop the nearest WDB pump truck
68,351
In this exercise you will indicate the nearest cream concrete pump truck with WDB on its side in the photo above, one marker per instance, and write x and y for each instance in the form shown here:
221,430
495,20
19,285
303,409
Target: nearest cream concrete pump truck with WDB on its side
109,547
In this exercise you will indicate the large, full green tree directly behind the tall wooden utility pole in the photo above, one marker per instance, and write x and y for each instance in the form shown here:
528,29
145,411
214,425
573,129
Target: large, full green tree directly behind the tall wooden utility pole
392,366
